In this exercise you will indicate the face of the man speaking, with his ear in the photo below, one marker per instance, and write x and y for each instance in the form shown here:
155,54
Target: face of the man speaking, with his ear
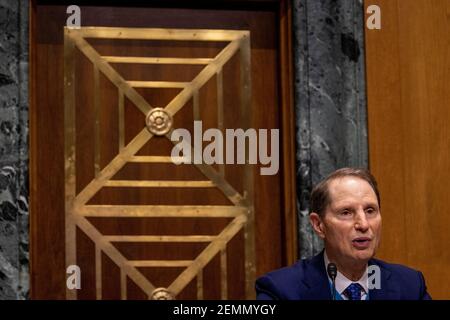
351,225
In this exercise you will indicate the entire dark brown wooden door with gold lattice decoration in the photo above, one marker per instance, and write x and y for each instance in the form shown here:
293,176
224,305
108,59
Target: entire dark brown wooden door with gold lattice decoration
106,195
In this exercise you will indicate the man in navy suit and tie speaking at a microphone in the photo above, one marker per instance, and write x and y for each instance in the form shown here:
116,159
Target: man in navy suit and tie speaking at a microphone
345,213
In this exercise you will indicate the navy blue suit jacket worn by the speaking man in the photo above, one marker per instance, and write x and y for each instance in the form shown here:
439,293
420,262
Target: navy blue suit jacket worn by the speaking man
307,280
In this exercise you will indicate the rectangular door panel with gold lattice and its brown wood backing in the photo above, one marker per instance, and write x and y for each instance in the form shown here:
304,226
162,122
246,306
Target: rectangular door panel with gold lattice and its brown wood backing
136,223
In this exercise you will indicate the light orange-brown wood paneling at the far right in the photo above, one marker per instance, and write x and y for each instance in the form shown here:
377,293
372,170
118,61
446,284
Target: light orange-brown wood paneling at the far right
408,71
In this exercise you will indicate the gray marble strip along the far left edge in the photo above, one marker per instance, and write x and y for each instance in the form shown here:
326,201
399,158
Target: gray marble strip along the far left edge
14,273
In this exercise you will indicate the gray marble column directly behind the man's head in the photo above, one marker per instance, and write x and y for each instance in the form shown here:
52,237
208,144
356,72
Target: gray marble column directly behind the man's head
329,98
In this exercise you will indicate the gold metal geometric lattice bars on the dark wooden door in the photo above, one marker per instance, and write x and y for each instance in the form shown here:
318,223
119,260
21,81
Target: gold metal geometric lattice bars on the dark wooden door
76,208
